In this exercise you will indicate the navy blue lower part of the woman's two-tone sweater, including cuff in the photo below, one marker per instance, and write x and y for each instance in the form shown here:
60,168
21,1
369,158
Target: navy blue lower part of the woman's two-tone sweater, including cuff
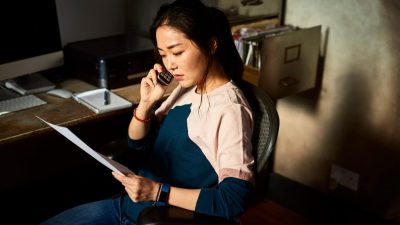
175,159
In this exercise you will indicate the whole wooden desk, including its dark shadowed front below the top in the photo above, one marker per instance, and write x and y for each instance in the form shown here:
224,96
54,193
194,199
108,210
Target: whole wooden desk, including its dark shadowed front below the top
32,151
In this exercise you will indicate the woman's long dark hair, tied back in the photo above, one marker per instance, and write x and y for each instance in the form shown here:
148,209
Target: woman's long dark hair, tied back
202,25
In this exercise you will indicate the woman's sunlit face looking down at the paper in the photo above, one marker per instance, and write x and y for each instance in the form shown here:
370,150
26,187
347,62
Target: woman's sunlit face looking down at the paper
181,56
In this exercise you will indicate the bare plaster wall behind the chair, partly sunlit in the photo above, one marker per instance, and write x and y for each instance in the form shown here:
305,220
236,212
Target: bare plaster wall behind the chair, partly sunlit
352,118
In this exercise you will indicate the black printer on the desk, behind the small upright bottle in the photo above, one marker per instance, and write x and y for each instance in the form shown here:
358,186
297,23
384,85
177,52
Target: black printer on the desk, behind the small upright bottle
110,62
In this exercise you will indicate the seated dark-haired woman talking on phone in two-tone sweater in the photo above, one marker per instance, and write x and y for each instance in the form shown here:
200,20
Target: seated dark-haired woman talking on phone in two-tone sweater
200,154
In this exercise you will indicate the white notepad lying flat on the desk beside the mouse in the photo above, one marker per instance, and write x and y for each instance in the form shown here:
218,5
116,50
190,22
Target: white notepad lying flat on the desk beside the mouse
102,100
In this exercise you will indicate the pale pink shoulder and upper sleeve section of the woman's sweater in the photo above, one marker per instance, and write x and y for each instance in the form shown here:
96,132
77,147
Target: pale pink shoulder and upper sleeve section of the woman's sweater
224,136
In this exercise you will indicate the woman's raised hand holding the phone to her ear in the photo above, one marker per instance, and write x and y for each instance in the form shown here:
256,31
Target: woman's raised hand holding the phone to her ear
150,90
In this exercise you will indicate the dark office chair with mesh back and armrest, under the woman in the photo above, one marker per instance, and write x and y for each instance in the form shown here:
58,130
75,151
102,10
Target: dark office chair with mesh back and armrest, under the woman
266,126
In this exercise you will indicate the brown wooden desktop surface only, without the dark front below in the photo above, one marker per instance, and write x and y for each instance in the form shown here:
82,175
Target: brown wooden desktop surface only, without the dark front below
18,125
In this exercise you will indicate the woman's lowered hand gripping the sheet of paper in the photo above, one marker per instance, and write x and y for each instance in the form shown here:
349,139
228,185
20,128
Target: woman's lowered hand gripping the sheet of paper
139,188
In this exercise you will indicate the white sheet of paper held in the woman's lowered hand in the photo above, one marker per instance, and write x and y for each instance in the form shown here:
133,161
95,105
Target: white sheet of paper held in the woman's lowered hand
111,164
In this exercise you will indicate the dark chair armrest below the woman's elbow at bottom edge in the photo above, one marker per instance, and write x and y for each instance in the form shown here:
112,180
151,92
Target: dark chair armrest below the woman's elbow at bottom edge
170,215
